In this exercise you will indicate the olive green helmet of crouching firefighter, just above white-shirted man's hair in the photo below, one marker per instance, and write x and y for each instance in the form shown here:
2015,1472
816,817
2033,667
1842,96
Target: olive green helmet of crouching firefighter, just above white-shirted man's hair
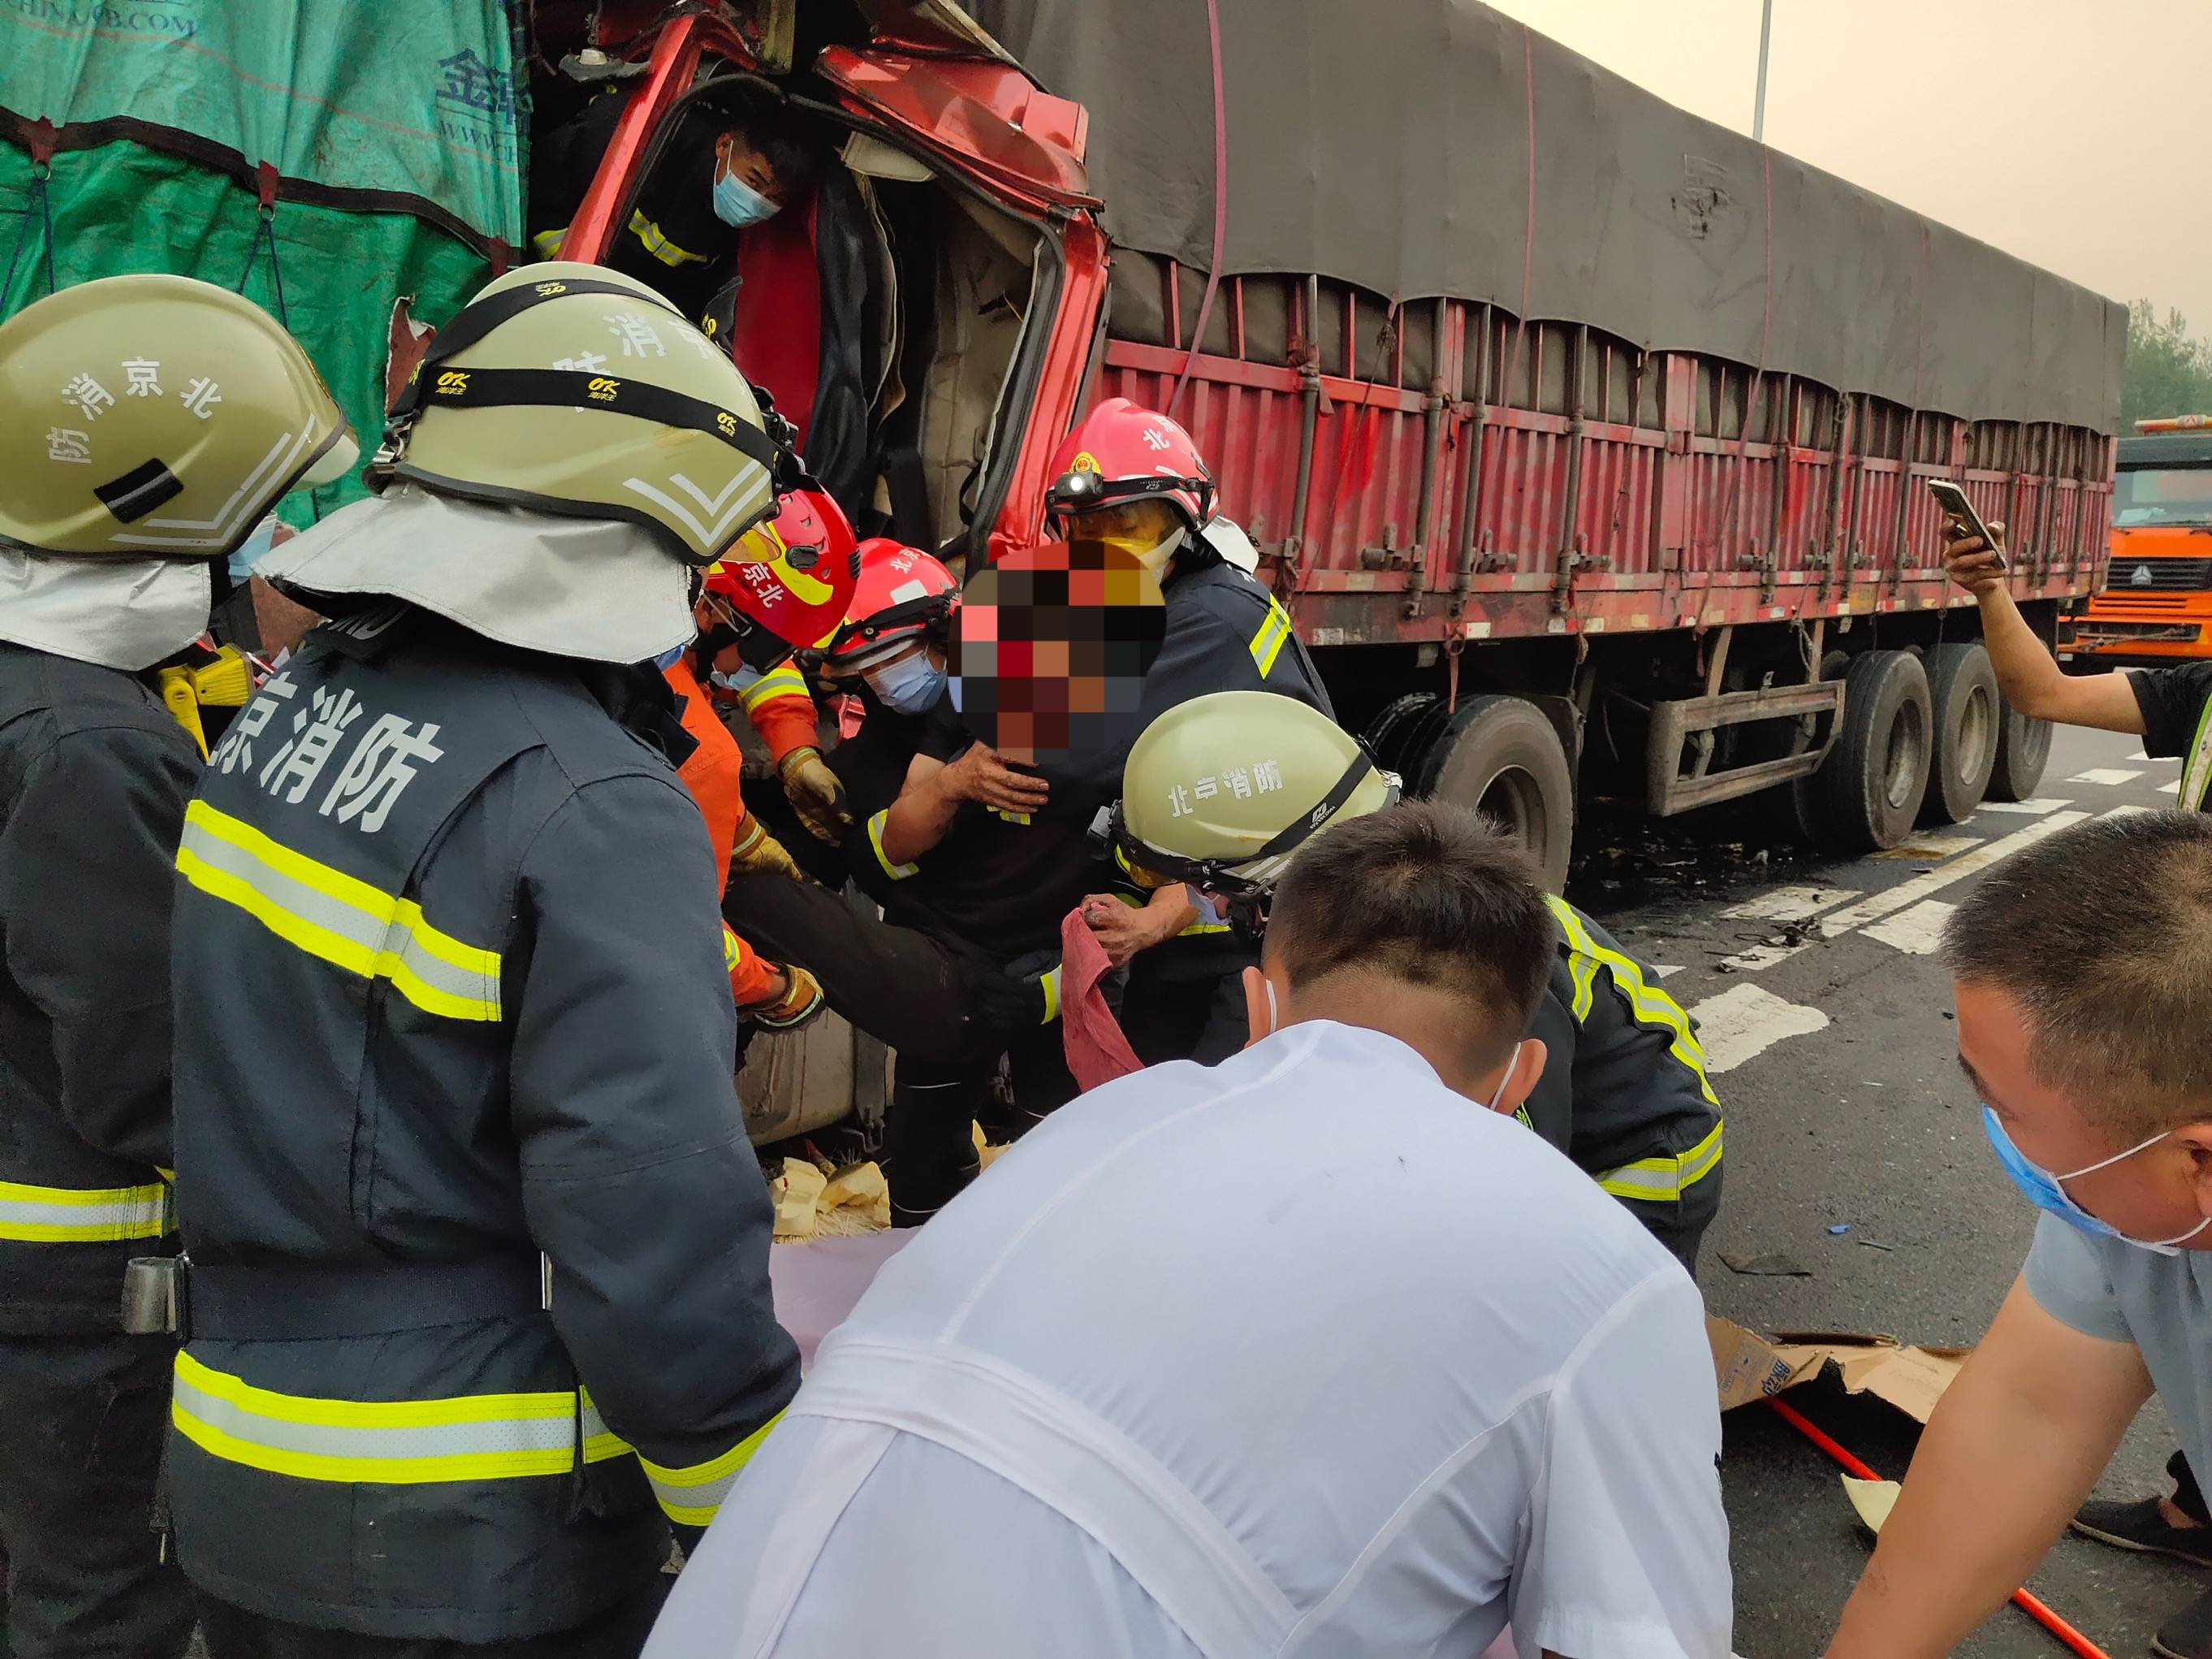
1222,791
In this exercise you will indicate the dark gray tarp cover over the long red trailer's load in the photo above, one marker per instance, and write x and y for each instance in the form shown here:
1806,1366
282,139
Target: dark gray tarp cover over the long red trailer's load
1388,145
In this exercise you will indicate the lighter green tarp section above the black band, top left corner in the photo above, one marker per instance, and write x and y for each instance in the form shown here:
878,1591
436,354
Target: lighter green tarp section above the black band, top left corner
408,98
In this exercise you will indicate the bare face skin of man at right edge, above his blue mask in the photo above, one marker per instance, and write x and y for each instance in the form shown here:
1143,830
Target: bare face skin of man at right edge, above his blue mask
2156,1193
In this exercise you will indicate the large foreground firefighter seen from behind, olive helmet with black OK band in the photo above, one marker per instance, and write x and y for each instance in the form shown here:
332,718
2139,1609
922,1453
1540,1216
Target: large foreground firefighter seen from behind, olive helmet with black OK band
479,1251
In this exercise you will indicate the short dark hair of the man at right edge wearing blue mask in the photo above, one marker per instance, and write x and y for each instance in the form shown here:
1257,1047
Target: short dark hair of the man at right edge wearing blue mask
2103,935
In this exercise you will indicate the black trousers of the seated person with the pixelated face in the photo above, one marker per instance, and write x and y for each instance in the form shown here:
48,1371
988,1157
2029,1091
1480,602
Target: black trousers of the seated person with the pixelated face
948,1012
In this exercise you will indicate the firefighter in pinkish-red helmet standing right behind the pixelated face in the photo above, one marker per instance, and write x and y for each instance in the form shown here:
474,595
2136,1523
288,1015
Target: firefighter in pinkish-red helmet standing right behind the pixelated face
1134,479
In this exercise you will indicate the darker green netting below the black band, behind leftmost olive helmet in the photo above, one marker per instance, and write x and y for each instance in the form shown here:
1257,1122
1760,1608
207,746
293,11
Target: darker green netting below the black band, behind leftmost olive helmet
127,209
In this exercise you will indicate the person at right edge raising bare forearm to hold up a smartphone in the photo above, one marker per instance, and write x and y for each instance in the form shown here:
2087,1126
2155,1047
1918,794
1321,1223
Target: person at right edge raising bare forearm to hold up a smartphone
2169,709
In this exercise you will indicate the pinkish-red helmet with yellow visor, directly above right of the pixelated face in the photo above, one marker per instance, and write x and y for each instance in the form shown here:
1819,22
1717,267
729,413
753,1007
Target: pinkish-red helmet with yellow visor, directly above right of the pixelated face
1131,479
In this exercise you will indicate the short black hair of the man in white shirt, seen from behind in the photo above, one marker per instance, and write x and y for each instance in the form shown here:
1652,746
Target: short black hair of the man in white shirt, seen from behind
1428,895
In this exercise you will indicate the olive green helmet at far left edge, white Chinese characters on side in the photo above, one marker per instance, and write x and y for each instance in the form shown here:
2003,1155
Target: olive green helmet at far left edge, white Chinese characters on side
156,417
